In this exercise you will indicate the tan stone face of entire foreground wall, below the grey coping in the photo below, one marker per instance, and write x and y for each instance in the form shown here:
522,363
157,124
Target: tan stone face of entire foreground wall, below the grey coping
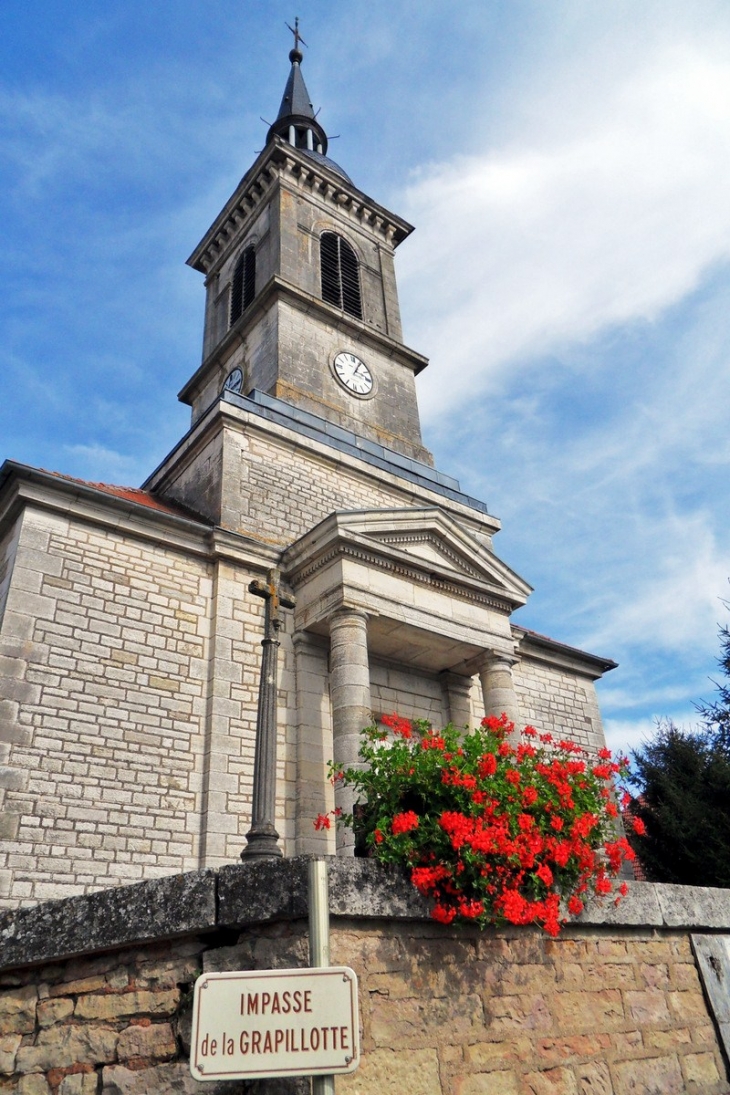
598,1012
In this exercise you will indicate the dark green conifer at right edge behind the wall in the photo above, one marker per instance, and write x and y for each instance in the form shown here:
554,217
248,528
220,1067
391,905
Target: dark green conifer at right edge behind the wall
683,783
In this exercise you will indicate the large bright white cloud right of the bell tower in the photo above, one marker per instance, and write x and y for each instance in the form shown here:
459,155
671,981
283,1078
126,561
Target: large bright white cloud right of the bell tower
607,217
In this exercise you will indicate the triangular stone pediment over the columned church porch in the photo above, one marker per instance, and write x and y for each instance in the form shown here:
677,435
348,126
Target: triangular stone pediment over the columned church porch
427,541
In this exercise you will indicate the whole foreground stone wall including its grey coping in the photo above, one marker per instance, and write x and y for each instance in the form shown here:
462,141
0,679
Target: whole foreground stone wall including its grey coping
611,1008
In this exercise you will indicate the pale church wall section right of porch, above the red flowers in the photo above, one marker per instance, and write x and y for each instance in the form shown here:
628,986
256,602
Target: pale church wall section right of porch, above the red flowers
560,702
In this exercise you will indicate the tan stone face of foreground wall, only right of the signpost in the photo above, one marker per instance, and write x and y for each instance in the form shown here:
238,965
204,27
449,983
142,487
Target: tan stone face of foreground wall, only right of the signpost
515,1013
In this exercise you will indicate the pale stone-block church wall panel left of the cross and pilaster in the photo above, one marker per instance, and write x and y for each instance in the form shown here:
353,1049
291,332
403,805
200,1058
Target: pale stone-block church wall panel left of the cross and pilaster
106,643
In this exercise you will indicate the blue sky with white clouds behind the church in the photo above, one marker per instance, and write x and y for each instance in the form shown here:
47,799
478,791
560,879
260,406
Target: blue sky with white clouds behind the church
566,167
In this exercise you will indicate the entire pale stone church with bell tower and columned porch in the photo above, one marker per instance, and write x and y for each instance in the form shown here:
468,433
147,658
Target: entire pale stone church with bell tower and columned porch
131,644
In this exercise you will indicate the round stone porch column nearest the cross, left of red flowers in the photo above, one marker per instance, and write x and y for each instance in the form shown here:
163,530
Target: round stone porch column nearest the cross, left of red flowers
350,693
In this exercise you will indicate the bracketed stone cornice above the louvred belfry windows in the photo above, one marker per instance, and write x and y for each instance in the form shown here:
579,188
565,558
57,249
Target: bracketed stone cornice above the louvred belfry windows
280,162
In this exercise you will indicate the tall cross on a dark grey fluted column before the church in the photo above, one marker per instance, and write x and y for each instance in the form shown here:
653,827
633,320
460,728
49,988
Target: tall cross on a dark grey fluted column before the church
263,839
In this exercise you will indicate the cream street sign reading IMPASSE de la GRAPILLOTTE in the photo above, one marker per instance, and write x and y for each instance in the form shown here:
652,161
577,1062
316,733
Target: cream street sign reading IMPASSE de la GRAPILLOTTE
275,1023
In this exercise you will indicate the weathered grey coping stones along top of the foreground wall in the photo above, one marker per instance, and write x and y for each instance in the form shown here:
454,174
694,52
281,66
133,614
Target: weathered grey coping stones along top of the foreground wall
240,895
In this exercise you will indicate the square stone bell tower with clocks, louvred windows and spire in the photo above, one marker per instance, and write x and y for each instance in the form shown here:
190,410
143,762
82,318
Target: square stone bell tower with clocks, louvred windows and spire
302,294
